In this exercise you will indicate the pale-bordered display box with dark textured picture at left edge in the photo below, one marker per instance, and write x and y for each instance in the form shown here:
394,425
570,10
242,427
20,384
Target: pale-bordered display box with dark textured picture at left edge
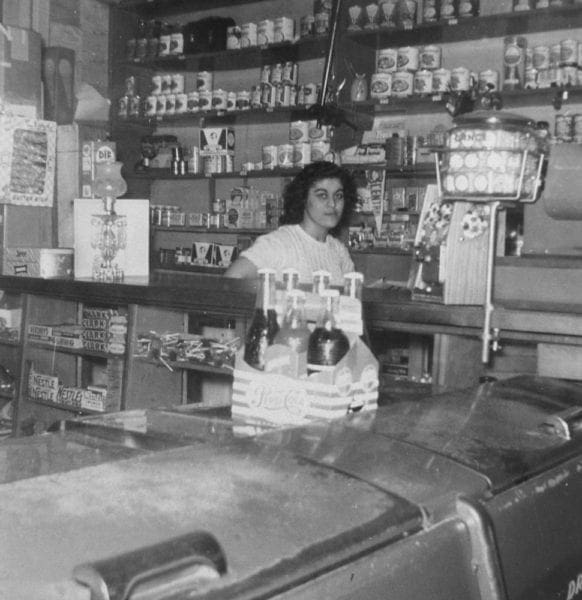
28,155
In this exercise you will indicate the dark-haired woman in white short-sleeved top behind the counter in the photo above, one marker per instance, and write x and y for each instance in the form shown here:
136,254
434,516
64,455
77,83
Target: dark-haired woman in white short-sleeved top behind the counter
317,204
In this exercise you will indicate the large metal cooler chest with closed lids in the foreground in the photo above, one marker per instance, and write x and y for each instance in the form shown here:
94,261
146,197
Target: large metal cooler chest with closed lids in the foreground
472,494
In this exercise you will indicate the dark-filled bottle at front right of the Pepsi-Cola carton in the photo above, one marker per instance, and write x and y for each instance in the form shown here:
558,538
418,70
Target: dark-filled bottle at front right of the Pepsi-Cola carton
327,344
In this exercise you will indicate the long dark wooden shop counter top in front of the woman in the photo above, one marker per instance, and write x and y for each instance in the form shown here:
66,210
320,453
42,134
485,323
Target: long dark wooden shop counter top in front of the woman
389,306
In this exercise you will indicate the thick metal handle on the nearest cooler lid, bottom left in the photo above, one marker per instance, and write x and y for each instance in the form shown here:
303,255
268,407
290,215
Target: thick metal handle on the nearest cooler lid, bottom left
176,565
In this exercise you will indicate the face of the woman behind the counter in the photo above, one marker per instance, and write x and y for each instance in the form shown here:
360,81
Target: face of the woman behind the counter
324,206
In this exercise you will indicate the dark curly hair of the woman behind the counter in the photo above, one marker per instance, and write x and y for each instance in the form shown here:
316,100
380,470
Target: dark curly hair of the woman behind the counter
296,191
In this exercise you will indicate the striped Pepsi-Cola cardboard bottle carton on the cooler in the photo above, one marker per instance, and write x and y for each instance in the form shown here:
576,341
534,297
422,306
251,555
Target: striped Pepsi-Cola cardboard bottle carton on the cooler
271,398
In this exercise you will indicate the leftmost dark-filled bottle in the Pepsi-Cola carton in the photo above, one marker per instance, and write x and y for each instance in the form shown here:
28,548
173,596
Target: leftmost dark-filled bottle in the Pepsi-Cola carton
264,325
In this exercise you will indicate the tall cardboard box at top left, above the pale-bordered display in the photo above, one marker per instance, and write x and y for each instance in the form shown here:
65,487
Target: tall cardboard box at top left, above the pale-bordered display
20,72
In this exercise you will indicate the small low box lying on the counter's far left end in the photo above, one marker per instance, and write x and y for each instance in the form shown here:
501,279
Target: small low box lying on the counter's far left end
47,263
